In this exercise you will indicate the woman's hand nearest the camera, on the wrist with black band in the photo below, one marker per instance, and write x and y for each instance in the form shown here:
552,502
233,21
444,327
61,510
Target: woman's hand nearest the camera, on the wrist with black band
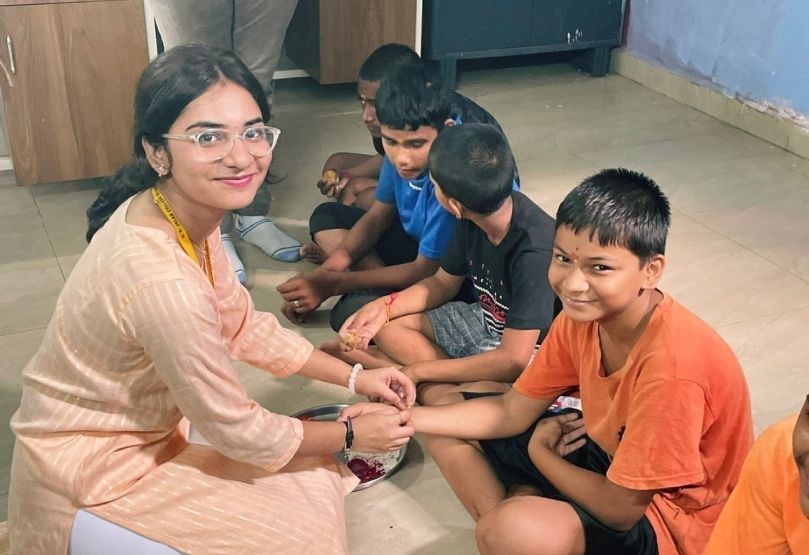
378,427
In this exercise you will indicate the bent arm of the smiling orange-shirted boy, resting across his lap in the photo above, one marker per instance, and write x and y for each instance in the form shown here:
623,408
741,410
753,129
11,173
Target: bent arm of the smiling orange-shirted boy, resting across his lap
615,506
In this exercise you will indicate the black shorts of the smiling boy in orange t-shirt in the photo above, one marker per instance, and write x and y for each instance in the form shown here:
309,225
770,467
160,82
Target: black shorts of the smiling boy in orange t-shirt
512,465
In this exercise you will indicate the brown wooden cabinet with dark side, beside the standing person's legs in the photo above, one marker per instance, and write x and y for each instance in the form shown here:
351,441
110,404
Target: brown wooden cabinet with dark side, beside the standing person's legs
331,38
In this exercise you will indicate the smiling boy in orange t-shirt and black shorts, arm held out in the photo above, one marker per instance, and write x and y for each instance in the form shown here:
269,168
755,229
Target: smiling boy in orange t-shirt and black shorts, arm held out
666,405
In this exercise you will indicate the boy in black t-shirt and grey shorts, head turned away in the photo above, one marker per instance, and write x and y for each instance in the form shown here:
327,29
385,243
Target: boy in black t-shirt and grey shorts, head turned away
503,243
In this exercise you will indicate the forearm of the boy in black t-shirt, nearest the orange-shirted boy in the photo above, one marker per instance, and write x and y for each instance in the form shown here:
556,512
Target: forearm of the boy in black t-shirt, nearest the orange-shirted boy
502,364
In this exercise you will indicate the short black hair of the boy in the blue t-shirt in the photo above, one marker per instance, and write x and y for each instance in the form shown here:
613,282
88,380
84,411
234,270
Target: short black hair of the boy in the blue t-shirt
408,99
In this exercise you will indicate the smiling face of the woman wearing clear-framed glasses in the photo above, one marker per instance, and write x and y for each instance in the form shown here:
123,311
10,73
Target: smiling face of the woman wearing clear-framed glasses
231,182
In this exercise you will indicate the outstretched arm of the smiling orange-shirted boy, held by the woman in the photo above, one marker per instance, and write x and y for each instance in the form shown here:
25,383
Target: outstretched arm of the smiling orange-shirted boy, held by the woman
483,418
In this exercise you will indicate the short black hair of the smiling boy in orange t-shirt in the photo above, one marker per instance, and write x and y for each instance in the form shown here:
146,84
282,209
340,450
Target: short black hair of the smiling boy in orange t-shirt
619,207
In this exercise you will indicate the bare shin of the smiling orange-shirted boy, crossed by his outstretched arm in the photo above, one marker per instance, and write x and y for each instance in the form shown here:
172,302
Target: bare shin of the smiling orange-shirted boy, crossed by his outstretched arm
463,464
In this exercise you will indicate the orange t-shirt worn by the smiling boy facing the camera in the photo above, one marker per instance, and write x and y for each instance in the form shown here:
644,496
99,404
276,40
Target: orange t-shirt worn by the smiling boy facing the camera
675,418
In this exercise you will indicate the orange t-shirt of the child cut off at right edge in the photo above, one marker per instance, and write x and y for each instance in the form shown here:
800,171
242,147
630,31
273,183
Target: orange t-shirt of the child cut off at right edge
763,515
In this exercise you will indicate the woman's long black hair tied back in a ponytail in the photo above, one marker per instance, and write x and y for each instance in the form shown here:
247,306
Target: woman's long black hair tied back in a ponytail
167,85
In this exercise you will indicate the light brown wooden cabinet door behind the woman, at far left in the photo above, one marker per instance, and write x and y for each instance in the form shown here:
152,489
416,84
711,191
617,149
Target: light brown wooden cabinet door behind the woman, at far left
68,75
